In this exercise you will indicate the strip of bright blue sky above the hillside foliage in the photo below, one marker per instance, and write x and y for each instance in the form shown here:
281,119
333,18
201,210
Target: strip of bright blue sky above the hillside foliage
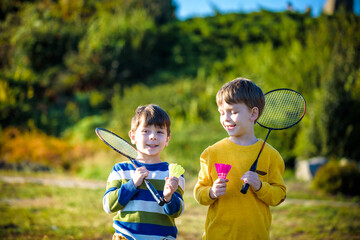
201,8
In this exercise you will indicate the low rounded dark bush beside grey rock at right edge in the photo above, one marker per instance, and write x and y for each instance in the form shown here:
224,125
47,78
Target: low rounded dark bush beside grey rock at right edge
338,177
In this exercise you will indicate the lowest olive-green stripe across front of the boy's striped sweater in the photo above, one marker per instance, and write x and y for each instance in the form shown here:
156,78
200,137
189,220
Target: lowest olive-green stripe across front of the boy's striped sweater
145,217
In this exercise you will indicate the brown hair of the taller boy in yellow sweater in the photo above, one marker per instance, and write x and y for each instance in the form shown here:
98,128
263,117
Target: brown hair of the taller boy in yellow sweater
241,90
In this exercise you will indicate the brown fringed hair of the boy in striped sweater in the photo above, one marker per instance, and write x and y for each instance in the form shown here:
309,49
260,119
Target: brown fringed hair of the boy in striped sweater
150,115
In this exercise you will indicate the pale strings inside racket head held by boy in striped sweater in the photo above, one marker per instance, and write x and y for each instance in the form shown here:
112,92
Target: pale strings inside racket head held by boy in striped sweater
118,143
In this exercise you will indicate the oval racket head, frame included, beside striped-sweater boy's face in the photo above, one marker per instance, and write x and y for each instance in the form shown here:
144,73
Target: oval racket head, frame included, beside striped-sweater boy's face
116,142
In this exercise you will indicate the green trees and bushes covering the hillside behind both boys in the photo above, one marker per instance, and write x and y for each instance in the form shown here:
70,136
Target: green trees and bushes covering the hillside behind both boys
67,65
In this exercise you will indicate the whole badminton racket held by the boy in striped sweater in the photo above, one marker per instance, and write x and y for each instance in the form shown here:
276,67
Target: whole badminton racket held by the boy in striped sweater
126,149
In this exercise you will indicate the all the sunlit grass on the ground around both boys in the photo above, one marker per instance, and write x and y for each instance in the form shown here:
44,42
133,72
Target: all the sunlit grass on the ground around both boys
35,211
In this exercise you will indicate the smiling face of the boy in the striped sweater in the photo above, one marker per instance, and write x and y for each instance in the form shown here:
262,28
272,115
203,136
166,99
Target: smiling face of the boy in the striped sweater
150,140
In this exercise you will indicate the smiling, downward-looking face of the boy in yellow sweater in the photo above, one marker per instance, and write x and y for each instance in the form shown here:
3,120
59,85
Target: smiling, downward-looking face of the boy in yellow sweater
238,120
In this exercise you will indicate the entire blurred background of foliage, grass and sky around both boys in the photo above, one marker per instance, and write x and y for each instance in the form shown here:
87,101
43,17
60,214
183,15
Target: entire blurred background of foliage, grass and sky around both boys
67,67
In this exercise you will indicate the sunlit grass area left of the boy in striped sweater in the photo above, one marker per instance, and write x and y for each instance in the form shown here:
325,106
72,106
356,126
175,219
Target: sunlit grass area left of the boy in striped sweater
33,211
